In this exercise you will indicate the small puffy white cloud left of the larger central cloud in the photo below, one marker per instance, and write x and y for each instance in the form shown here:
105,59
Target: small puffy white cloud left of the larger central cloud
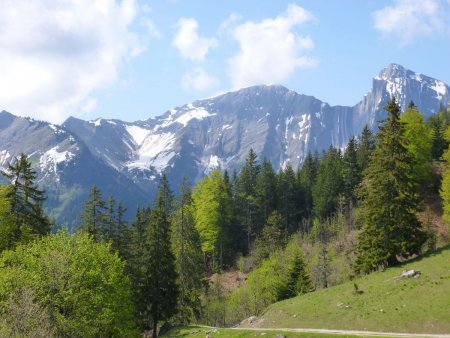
189,43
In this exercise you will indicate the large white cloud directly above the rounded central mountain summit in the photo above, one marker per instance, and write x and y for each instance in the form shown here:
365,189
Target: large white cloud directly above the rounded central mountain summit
270,50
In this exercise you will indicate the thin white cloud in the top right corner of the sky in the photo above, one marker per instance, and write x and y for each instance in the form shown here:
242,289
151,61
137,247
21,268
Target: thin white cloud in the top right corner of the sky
407,20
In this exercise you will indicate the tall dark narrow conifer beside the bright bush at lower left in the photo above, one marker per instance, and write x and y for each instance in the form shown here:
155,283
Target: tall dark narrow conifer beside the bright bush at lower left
159,289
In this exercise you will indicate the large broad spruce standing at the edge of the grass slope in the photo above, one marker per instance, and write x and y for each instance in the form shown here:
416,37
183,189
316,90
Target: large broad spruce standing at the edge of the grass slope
389,200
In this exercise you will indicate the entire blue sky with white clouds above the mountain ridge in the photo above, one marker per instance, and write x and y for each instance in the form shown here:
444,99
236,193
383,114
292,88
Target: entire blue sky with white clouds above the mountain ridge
136,59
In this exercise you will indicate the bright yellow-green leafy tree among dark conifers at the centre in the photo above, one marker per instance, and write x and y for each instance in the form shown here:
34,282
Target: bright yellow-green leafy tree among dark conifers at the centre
212,213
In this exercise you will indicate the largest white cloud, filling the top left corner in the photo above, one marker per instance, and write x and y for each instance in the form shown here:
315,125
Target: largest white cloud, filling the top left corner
55,54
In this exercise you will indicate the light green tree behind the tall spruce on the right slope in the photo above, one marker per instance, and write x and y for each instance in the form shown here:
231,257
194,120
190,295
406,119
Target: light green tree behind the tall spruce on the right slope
419,143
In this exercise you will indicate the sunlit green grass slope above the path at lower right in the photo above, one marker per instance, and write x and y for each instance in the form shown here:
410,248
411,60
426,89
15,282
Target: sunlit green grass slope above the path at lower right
387,303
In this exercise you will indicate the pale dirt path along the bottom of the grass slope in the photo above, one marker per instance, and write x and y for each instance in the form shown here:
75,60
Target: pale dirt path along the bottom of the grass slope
349,332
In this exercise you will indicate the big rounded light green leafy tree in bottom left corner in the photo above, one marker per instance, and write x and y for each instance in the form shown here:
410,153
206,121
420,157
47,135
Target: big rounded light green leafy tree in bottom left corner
78,285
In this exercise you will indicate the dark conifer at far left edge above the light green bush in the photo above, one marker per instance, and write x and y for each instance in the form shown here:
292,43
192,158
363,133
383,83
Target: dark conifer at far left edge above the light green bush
25,201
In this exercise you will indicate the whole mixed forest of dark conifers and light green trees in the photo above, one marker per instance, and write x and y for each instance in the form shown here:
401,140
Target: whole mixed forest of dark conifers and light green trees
224,249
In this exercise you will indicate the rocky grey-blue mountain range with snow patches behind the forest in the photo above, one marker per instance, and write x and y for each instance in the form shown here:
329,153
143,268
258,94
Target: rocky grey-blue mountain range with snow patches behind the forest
126,159
